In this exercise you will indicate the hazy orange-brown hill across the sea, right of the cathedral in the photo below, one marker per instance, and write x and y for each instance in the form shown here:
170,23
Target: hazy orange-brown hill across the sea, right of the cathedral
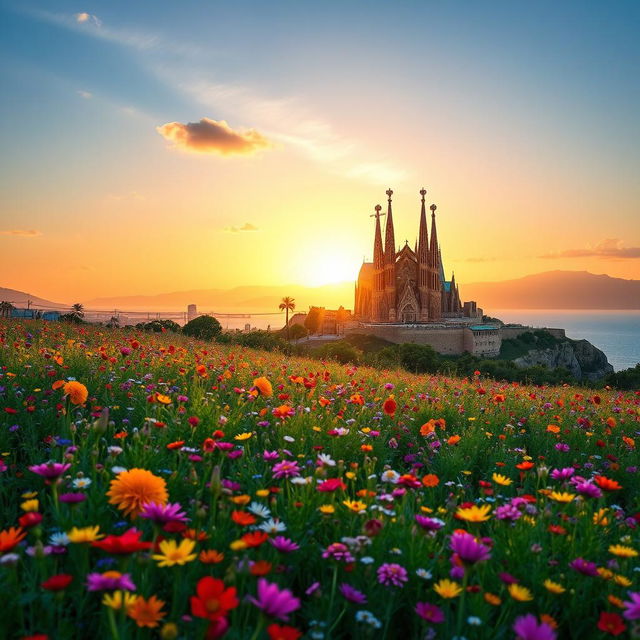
555,290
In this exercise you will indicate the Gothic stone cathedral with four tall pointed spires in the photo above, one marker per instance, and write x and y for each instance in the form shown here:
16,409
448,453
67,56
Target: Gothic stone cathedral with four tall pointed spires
406,286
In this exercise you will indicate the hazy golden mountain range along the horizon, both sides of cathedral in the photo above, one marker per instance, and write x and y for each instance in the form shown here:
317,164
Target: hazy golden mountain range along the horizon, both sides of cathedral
548,290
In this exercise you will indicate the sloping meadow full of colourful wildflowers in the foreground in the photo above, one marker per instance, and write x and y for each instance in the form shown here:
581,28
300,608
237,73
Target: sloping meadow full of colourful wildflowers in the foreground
154,486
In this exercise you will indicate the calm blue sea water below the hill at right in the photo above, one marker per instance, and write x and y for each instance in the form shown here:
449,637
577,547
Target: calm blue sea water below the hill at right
617,333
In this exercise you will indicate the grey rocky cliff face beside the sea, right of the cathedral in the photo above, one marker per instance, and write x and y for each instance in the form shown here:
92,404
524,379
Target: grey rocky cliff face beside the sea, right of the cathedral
579,357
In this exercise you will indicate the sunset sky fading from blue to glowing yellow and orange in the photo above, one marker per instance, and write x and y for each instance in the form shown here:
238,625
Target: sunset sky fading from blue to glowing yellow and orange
155,146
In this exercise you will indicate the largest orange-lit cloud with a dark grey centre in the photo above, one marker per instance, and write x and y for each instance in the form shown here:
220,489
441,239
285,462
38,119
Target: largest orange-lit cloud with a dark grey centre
213,136
